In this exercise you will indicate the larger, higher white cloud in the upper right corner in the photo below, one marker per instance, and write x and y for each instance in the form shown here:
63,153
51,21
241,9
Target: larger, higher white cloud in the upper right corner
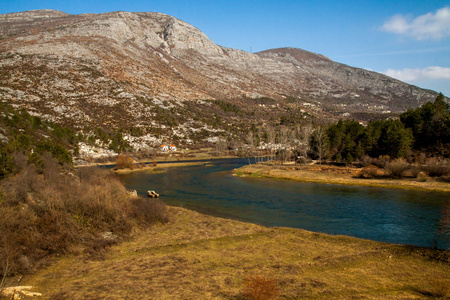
429,26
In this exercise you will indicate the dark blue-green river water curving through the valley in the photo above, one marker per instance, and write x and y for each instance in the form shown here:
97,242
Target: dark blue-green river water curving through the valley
388,215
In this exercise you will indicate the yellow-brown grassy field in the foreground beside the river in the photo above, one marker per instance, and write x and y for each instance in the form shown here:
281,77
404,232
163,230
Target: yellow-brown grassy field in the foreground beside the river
196,256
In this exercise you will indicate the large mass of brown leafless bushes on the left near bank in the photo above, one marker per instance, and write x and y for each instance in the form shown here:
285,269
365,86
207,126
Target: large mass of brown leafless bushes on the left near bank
61,211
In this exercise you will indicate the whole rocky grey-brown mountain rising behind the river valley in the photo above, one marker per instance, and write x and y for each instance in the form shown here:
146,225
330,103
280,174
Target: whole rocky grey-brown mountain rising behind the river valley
156,77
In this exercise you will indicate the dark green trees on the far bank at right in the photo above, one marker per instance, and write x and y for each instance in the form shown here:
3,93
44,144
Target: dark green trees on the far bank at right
422,130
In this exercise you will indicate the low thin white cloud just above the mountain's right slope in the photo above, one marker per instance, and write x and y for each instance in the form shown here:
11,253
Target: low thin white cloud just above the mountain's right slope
412,75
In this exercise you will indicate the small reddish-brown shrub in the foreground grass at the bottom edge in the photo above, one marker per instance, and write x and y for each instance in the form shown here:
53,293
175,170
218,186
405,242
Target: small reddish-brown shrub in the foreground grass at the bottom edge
260,288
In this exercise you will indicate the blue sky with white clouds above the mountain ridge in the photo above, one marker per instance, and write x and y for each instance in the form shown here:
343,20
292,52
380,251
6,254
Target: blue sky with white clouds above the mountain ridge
405,39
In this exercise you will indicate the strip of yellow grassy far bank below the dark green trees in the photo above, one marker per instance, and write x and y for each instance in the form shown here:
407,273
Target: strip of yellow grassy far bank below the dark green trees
337,175
